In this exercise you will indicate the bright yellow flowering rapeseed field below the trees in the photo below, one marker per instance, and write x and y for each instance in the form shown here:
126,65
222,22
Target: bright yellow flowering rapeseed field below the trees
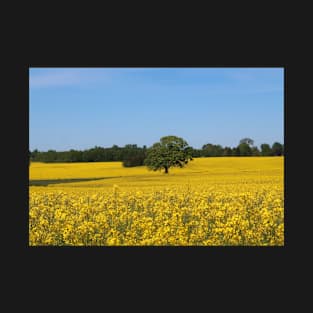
211,202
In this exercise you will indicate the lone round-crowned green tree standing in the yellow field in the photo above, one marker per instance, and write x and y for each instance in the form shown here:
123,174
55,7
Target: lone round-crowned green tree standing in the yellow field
171,151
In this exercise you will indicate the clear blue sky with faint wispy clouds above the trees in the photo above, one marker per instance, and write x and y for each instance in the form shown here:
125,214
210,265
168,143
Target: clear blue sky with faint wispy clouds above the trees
79,108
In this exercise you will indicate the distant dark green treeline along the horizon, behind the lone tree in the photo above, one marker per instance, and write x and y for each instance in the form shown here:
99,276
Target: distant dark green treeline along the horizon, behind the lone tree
132,155
